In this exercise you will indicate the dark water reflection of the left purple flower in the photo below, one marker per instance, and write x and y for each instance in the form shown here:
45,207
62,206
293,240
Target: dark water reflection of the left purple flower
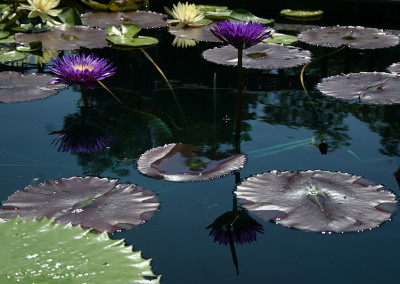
82,142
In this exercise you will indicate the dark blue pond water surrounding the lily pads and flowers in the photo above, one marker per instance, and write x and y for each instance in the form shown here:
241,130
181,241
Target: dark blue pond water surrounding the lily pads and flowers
282,130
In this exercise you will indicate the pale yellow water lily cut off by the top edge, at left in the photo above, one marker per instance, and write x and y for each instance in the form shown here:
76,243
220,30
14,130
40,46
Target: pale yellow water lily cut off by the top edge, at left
42,8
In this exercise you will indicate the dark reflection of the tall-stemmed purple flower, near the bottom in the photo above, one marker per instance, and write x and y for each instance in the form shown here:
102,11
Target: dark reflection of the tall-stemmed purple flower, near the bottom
243,229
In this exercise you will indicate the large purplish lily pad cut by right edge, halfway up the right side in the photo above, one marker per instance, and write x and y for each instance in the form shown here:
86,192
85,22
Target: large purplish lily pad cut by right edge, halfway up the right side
366,87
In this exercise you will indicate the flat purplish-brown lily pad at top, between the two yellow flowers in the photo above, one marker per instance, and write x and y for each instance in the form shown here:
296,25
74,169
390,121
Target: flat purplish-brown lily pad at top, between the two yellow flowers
143,19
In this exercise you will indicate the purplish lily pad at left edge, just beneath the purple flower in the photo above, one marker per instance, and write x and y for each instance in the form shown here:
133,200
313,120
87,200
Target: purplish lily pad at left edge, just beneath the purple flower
16,87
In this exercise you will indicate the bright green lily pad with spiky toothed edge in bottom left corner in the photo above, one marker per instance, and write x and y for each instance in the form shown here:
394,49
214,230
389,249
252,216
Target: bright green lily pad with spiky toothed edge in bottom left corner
47,252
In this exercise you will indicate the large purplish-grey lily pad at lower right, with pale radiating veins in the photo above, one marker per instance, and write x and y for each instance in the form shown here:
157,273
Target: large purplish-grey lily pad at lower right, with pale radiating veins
318,201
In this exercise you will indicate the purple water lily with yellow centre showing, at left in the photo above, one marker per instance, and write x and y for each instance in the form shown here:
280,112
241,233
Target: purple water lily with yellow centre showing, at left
81,69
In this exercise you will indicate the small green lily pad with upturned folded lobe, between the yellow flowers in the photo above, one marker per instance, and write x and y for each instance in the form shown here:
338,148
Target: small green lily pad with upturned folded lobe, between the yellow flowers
126,36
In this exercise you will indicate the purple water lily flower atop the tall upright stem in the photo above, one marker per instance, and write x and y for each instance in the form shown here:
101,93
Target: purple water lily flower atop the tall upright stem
241,34
